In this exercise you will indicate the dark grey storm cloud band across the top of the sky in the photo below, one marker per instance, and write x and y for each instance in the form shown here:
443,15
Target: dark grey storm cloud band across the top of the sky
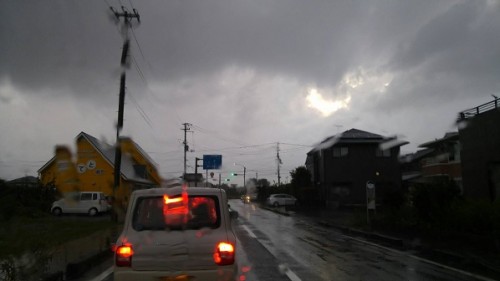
72,46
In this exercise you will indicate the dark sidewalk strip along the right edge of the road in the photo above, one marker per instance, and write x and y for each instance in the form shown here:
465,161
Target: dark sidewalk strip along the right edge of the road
353,223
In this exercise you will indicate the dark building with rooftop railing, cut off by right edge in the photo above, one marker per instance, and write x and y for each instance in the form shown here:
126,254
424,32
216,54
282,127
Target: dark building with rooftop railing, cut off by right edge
479,130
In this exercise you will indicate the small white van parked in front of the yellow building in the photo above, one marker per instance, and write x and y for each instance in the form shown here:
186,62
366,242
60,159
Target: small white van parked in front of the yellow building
87,202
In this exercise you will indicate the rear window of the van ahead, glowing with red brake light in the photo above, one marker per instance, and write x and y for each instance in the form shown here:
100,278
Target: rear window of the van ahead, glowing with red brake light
176,213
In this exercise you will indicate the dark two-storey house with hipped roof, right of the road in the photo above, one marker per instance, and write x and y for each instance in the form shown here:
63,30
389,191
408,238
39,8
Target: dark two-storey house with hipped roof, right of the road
341,166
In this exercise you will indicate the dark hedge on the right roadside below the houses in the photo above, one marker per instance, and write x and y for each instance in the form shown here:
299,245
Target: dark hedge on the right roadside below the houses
438,214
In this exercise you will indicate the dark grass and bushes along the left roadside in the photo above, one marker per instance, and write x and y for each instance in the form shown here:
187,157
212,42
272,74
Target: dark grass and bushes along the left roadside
30,234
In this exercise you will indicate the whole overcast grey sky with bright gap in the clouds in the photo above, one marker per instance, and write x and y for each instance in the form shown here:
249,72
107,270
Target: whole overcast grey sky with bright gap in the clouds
246,74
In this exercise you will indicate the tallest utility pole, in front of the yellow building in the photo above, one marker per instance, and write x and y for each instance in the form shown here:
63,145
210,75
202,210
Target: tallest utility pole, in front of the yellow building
127,23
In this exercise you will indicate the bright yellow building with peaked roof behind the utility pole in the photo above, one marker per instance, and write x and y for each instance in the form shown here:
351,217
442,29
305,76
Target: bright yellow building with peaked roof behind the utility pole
93,168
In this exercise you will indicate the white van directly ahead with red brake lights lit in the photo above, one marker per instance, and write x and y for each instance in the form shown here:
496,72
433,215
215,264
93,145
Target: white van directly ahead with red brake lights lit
179,233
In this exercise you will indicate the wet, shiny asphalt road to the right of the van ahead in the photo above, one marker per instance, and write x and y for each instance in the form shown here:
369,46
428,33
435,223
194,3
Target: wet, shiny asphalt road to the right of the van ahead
276,247
